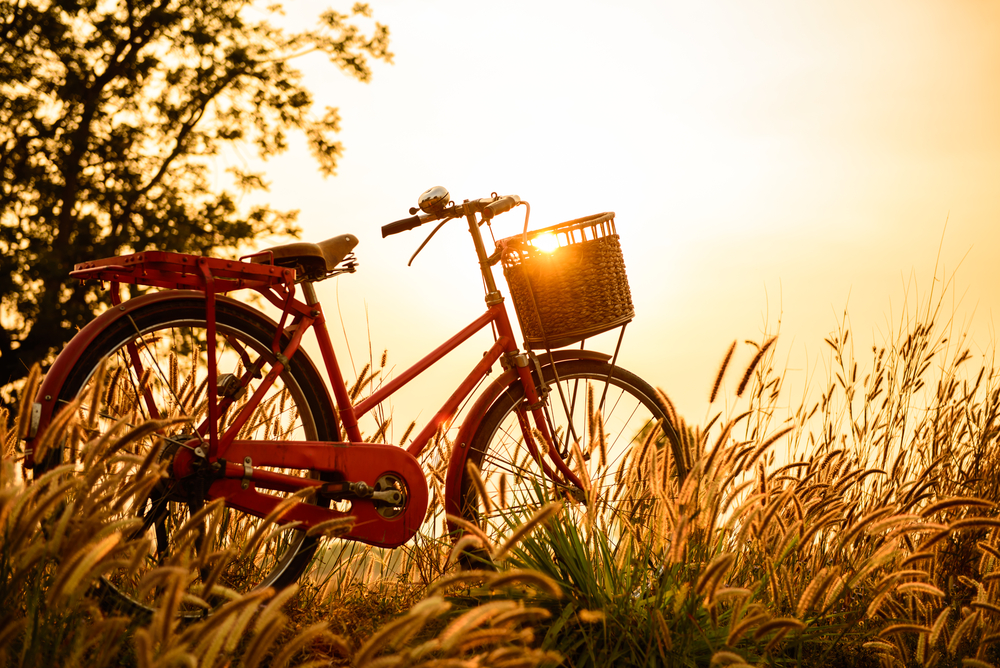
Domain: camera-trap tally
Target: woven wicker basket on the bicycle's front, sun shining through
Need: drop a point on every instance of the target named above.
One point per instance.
(573, 292)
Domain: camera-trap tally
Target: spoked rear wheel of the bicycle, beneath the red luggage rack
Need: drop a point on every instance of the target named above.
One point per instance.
(156, 368)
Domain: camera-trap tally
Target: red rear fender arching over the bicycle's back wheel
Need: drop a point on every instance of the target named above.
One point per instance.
(45, 407)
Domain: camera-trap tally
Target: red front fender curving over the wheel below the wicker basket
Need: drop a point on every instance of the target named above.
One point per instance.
(460, 451)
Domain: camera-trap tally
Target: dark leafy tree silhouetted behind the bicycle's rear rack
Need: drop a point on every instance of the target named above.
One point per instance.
(110, 114)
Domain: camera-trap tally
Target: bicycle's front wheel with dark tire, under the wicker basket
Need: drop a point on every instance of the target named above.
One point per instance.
(508, 472)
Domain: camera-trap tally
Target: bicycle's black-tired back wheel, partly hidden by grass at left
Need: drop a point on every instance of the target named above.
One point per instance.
(170, 336)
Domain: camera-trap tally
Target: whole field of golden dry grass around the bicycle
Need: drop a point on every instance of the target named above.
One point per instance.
(858, 528)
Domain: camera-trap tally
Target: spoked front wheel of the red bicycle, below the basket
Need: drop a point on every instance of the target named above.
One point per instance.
(589, 397)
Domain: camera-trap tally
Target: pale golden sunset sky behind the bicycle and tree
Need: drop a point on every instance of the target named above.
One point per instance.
(770, 160)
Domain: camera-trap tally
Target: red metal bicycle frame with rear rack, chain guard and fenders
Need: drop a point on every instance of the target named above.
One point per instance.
(350, 459)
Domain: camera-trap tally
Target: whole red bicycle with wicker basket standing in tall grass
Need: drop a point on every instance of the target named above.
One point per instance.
(260, 422)
